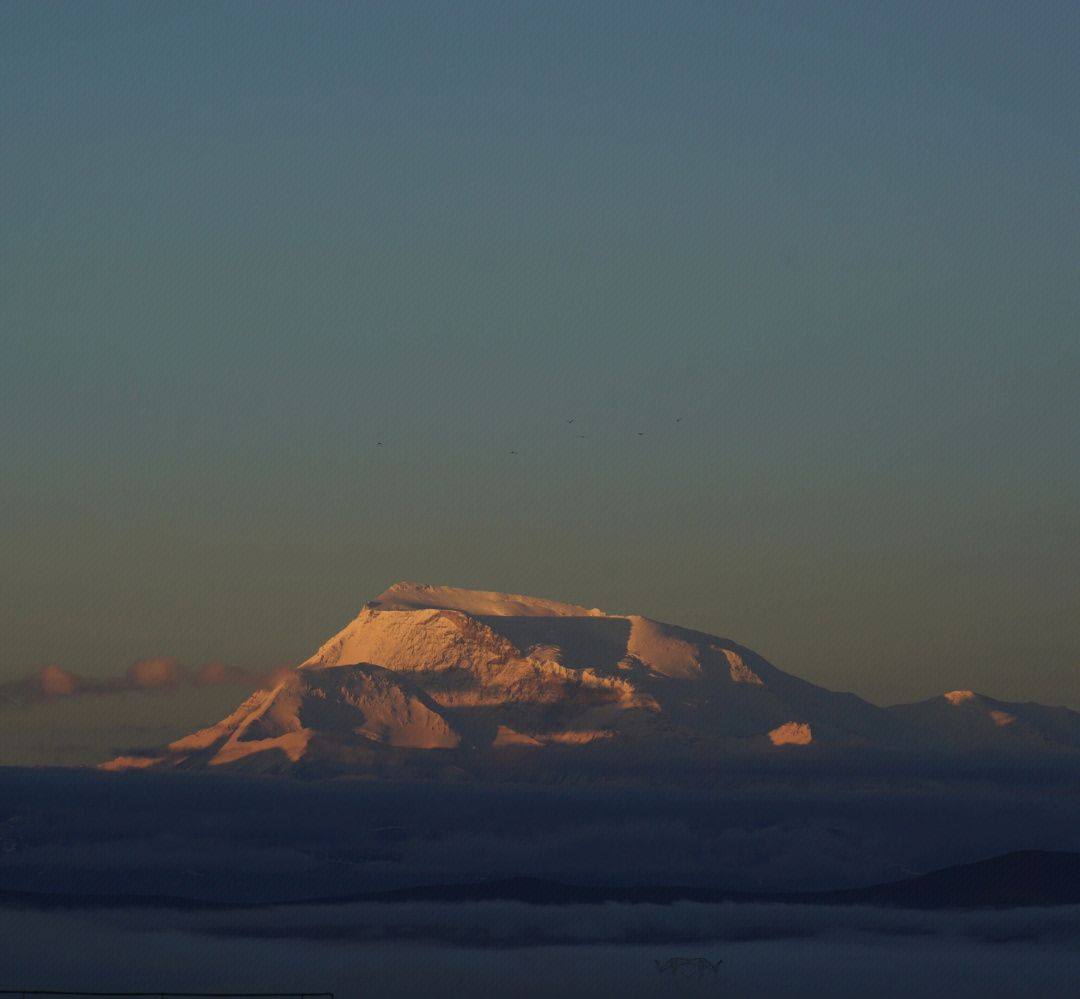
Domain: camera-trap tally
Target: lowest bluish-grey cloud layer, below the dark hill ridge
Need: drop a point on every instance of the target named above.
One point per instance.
(761, 952)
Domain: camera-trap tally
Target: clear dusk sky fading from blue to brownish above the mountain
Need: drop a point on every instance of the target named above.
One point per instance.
(244, 244)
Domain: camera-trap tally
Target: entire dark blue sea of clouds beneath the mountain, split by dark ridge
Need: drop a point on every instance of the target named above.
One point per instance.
(232, 839)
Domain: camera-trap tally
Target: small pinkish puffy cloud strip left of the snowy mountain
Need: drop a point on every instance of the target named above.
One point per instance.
(157, 673)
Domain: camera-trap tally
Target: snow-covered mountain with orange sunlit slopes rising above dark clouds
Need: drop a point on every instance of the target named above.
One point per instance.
(438, 681)
